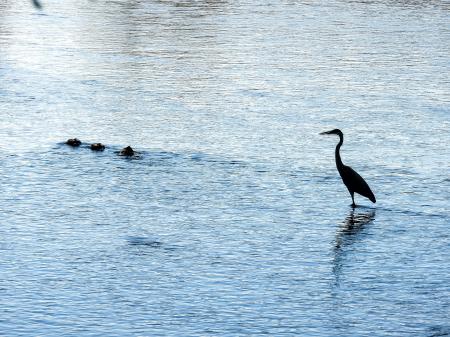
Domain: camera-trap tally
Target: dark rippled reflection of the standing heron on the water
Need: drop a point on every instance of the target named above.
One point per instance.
(348, 233)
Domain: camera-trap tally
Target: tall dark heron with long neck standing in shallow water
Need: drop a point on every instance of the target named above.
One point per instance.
(351, 179)
